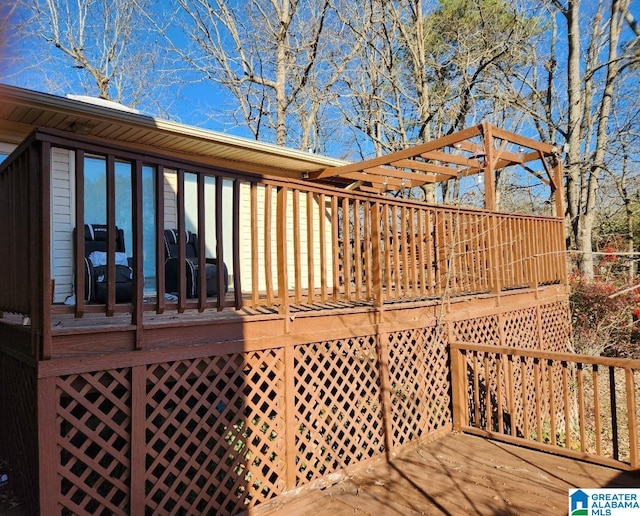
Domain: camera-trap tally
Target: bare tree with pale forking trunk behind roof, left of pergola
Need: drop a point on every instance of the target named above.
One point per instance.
(272, 57)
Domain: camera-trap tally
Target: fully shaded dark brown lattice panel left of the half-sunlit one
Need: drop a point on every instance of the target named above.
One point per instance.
(94, 424)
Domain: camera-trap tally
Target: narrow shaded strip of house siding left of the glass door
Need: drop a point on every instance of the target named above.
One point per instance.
(62, 223)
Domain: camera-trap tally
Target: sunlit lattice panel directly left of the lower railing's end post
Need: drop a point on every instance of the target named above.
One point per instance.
(419, 381)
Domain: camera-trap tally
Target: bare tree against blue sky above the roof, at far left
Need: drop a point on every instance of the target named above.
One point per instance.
(107, 43)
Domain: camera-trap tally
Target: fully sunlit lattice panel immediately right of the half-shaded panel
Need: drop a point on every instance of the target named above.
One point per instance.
(338, 406)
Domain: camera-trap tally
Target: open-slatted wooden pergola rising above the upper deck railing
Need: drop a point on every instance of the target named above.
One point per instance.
(480, 149)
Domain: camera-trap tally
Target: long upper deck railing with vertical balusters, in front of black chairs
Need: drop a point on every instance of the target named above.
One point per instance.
(284, 242)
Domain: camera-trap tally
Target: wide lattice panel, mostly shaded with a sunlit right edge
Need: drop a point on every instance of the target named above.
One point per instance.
(215, 433)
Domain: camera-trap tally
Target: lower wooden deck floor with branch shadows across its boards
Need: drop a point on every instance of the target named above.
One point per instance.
(457, 474)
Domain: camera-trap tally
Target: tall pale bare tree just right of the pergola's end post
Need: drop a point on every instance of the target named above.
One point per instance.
(598, 64)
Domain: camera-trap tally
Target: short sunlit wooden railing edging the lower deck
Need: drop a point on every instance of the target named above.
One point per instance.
(574, 405)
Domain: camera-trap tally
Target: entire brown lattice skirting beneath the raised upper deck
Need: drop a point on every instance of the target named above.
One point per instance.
(219, 434)
